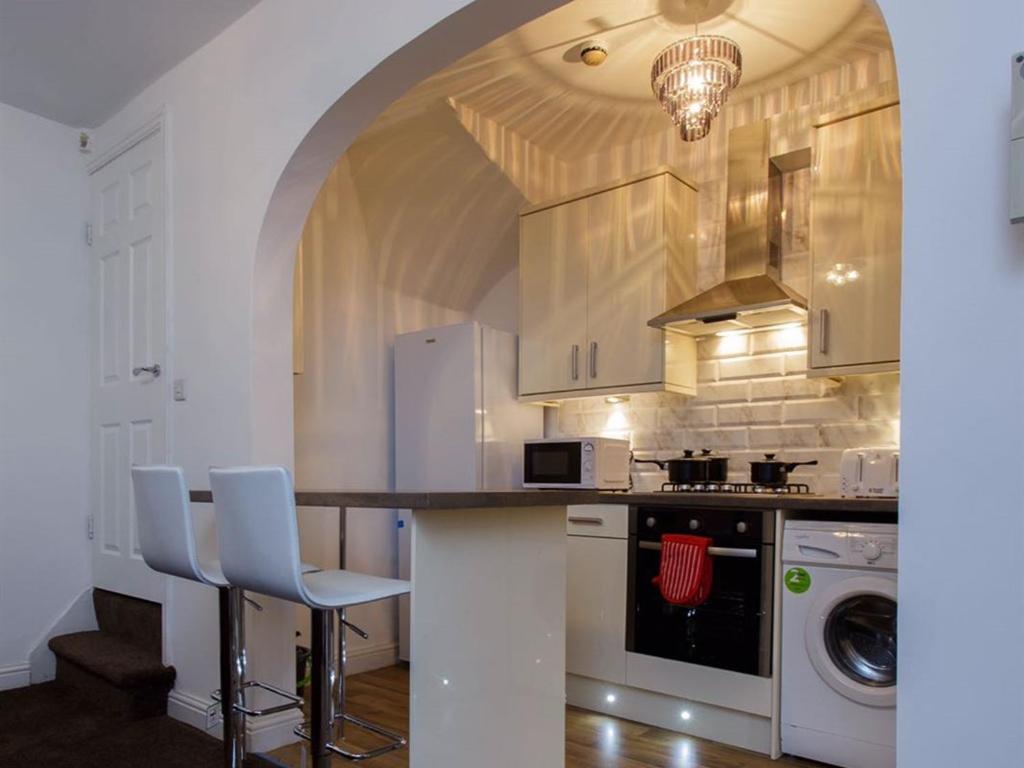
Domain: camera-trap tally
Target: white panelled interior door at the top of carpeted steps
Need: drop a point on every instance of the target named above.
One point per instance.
(130, 414)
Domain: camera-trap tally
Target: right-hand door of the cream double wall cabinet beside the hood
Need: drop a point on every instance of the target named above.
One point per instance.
(626, 287)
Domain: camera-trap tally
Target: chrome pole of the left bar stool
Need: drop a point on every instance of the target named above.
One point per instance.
(233, 664)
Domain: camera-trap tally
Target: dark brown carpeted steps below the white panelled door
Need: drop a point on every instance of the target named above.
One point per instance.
(119, 666)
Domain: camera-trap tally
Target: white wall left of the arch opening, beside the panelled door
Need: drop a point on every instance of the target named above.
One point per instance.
(237, 112)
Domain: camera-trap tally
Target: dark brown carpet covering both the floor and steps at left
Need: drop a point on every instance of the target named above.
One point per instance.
(107, 707)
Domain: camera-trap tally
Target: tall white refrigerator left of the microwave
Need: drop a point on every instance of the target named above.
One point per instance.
(458, 423)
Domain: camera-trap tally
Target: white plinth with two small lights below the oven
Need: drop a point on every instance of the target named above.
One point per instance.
(706, 721)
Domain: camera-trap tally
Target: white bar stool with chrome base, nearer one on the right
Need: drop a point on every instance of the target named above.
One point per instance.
(259, 537)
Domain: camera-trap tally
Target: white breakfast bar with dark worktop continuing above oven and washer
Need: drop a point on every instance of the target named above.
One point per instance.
(489, 573)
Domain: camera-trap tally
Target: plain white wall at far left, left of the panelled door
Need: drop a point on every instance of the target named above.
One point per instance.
(46, 359)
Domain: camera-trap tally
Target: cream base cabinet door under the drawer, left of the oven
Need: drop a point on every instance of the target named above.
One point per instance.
(595, 614)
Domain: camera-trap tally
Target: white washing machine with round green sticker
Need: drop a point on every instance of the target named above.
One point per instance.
(839, 644)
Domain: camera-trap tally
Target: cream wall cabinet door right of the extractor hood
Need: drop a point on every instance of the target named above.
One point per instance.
(857, 225)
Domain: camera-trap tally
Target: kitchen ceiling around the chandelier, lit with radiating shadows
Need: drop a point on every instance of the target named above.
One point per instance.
(532, 81)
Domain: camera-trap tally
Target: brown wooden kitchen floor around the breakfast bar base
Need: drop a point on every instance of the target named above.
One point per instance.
(591, 741)
